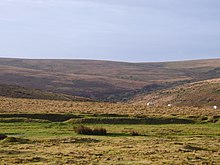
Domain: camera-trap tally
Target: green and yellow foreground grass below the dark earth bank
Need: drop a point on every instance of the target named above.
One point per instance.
(56, 143)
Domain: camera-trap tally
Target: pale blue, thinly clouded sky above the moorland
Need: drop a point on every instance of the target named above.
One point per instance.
(118, 30)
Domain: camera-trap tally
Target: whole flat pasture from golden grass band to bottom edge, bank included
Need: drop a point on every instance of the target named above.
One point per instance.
(42, 132)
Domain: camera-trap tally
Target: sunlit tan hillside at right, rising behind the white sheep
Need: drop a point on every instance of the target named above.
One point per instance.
(198, 94)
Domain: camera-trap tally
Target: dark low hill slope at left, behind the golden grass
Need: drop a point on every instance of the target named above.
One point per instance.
(13, 91)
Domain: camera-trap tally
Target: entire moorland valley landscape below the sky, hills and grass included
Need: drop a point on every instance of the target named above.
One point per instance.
(42, 102)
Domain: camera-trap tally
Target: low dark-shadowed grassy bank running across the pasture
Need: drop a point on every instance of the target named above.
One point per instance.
(107, 118)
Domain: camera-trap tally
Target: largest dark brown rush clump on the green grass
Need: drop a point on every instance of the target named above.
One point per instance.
(88, 131)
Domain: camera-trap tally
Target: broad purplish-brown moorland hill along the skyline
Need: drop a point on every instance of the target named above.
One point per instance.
(104, 80)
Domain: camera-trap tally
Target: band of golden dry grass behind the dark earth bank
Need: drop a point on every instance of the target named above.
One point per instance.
(9, 105)
